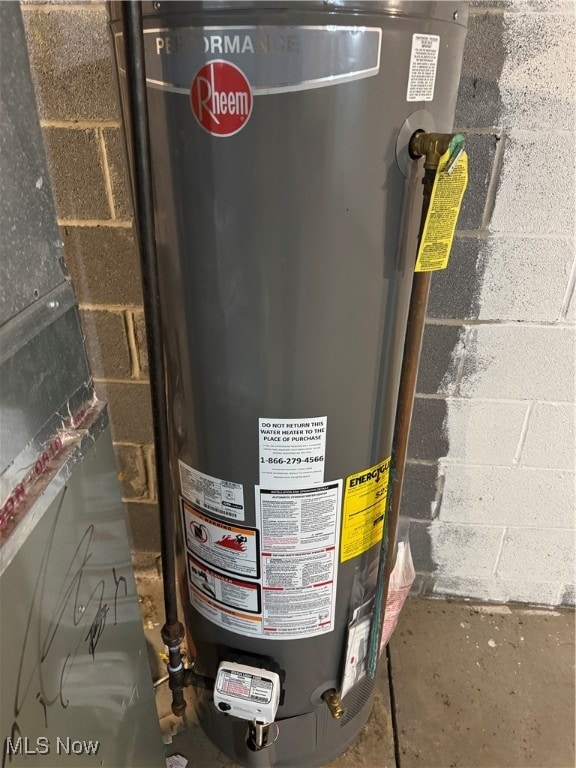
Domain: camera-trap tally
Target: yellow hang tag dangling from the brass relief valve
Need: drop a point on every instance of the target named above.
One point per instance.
(447, 193)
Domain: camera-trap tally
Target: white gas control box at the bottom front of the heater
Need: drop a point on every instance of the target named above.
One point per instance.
(252, 694)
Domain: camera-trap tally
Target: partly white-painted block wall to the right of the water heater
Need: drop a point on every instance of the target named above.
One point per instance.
(490, 482)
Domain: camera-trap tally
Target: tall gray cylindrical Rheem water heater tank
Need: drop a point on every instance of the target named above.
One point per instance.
(286, 221)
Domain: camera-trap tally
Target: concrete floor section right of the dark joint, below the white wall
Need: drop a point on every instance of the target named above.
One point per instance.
(483, 686)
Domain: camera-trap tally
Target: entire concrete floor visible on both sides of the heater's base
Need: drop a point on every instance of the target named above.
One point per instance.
(473, 686)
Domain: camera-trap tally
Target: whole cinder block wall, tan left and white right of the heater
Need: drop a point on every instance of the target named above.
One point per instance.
(490, 479)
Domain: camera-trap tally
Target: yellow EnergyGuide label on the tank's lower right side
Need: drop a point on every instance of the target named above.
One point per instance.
(364, 510)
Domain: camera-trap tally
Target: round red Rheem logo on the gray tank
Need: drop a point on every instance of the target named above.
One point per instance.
(221, 98)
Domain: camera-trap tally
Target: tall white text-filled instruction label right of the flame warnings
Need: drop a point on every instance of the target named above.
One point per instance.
(299, 530)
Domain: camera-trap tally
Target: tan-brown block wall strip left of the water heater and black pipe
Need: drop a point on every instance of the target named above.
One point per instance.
(70, 57)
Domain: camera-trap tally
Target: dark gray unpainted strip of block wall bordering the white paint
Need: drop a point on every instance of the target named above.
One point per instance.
(455, 293)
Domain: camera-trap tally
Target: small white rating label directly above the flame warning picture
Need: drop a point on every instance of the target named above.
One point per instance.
(219, 497)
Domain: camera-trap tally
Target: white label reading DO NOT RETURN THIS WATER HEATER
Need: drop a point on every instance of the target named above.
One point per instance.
(292, 452)
